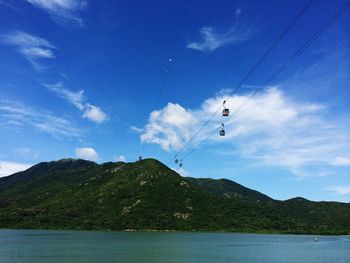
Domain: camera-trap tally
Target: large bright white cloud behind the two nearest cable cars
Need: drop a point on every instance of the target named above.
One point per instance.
(271, 128)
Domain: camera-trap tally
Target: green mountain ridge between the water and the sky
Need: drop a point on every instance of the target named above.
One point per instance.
(147, 195)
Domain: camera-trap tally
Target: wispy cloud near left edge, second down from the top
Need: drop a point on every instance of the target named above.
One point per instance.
(33, 48)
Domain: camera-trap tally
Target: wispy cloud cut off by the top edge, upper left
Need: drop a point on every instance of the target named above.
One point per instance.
(62, 12)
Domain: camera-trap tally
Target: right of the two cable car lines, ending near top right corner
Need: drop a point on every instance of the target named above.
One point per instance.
(281, 68)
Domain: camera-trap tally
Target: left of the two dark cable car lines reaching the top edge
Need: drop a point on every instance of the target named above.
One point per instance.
(259, 61)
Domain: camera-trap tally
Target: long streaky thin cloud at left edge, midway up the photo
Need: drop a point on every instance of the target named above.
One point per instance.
(17, 115)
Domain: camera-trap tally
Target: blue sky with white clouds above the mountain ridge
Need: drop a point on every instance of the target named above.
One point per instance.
(114, 80)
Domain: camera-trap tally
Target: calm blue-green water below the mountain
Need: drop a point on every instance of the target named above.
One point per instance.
(31, 246)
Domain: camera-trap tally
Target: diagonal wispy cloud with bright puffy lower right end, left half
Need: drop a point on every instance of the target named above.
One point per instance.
(91, 112)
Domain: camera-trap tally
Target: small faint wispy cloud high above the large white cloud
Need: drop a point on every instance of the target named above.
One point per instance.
(211, 39)
